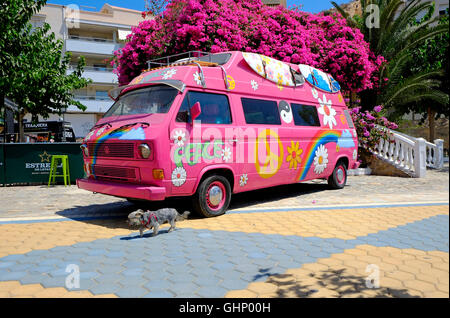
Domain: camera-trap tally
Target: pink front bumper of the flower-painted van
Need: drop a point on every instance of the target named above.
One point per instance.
(123, 190)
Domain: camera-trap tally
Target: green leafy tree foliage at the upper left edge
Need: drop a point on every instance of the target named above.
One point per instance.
(33, 70)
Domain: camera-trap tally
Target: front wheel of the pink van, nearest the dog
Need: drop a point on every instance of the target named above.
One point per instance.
(213, 196)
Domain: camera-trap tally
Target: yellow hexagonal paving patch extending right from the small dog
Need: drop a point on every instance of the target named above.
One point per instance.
(342, 224)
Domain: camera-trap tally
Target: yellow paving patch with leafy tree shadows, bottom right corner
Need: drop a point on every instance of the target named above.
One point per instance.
(398, 273)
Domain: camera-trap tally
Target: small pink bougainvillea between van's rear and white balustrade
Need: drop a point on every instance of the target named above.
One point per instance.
(370, 126)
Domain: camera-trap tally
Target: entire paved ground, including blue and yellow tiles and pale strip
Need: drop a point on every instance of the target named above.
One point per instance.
(378, 237)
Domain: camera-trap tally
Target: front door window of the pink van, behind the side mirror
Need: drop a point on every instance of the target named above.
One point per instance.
(215, 108)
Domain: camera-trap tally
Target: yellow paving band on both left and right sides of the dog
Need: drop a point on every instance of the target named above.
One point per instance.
(343, 224)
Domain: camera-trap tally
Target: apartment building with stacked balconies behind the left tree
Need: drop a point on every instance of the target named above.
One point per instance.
(94, 35)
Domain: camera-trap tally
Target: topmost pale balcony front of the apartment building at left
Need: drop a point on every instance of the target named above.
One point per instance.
(91, 45)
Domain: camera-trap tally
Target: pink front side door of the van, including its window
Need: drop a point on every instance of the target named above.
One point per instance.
(206, 142)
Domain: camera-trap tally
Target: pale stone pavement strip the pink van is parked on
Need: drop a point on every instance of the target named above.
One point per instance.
(60, 201)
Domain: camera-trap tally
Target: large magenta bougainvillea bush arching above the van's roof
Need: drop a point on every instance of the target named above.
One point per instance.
(214, 26)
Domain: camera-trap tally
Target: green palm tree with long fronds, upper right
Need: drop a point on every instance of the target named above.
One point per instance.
(399, 33)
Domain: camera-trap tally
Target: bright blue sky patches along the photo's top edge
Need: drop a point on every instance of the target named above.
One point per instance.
(308, 5)
